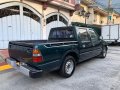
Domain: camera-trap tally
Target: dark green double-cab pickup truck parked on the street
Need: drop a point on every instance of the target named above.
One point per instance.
(65, 47)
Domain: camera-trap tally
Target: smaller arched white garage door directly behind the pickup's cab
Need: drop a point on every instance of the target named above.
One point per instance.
(55, 20)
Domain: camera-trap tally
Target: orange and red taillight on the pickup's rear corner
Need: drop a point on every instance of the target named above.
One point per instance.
(37, 56)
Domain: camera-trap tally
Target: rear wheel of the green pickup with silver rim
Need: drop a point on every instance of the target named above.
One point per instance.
(68, 67)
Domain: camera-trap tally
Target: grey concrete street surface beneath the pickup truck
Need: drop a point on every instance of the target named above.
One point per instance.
(94, 74)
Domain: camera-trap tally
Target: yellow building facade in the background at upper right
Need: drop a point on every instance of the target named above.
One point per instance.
(98, 14)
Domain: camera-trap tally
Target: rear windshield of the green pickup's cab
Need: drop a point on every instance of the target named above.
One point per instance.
(61, 34)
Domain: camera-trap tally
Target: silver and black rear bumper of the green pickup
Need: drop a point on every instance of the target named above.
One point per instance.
(25, 69)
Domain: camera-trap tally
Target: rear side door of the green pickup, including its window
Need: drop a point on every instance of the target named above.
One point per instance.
(85, 46)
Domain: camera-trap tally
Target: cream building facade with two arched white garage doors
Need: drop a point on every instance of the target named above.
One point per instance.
(32, 19)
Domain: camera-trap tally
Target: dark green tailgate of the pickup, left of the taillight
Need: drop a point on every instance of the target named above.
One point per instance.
(21, 52)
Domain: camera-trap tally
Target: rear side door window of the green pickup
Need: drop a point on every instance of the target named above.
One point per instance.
(83, 34)
